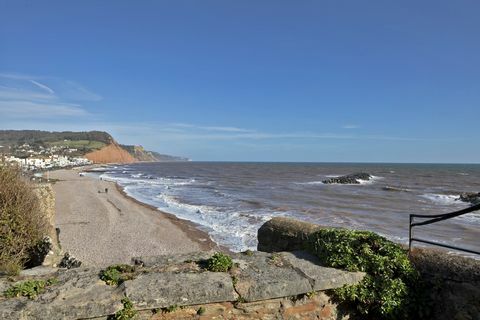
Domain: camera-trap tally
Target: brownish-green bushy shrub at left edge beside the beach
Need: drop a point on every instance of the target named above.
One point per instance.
(22, 222)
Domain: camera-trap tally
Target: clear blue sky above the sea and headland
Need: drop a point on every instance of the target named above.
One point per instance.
(369, 81)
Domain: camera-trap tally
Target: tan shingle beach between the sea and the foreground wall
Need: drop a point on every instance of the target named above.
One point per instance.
(102, 228)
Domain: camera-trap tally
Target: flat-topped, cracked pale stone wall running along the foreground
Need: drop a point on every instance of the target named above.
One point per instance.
(259, 285)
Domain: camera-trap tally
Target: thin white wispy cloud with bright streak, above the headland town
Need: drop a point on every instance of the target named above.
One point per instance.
(36, 97)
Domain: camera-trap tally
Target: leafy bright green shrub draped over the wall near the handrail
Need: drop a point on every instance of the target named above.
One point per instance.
(386, 292)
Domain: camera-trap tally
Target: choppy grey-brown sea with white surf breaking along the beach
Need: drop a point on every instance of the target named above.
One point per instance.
(230, 200)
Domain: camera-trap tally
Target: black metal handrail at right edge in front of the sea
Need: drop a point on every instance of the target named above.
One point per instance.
(437, 218)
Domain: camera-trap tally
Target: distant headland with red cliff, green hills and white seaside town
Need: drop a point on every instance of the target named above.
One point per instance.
(35, 149)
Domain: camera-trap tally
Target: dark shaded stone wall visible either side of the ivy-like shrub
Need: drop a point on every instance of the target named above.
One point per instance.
(452, 282)
